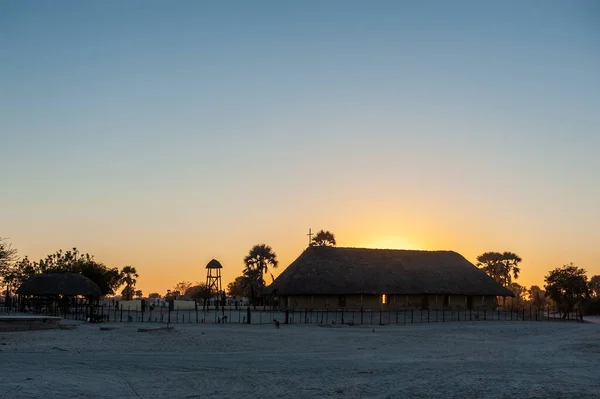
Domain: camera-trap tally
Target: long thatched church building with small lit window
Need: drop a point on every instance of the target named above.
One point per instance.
(354, 278)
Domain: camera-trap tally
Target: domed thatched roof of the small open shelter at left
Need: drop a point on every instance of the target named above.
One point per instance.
(59, 284)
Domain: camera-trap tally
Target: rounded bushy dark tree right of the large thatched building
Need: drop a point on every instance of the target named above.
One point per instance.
(567, 286)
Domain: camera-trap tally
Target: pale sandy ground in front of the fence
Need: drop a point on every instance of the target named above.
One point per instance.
(451, 360)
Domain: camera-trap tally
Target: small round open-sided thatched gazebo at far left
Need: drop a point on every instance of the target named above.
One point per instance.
(50, 291)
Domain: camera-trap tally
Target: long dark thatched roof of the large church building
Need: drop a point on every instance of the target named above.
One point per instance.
(344, 271)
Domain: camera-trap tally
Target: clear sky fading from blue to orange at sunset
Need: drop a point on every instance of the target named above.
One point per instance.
(164, 134)
